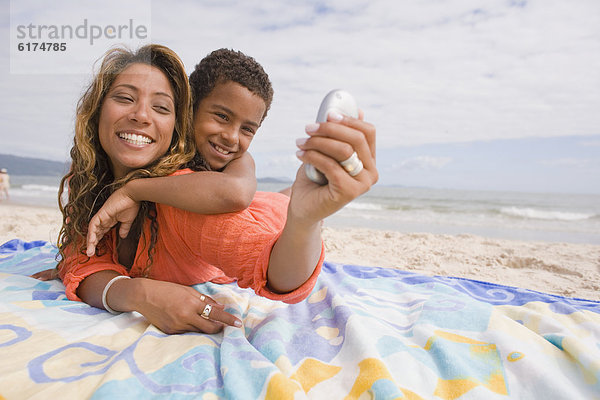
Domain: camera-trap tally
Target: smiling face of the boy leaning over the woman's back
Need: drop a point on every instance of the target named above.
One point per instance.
(225, 123)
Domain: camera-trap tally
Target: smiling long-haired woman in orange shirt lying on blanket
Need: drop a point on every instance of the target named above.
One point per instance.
(133, 122)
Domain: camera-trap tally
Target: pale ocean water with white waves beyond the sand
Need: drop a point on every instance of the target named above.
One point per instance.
(550, 217)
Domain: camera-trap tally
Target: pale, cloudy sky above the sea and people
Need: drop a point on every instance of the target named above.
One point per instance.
(494, 95)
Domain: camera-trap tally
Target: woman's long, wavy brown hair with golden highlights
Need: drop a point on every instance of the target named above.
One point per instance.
(90, 180)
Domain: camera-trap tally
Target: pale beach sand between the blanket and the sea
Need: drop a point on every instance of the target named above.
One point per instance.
(564, 269)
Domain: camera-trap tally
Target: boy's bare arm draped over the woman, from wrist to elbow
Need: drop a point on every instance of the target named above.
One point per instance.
(205, 192)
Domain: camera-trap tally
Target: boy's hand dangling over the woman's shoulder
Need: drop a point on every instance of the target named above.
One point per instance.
(118, 208)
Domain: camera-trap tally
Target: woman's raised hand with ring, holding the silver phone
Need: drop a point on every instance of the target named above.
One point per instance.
(328, 144)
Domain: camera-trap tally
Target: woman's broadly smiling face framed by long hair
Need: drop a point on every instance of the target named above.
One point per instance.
(137, 118)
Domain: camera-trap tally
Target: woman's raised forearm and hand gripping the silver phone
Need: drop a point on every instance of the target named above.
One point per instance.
(296, 253)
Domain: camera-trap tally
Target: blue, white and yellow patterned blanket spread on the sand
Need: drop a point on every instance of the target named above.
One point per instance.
(364, 332)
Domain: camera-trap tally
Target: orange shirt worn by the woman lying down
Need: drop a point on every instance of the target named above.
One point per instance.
(194, 248)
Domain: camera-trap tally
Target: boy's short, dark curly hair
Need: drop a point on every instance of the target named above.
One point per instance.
(226, 65)
